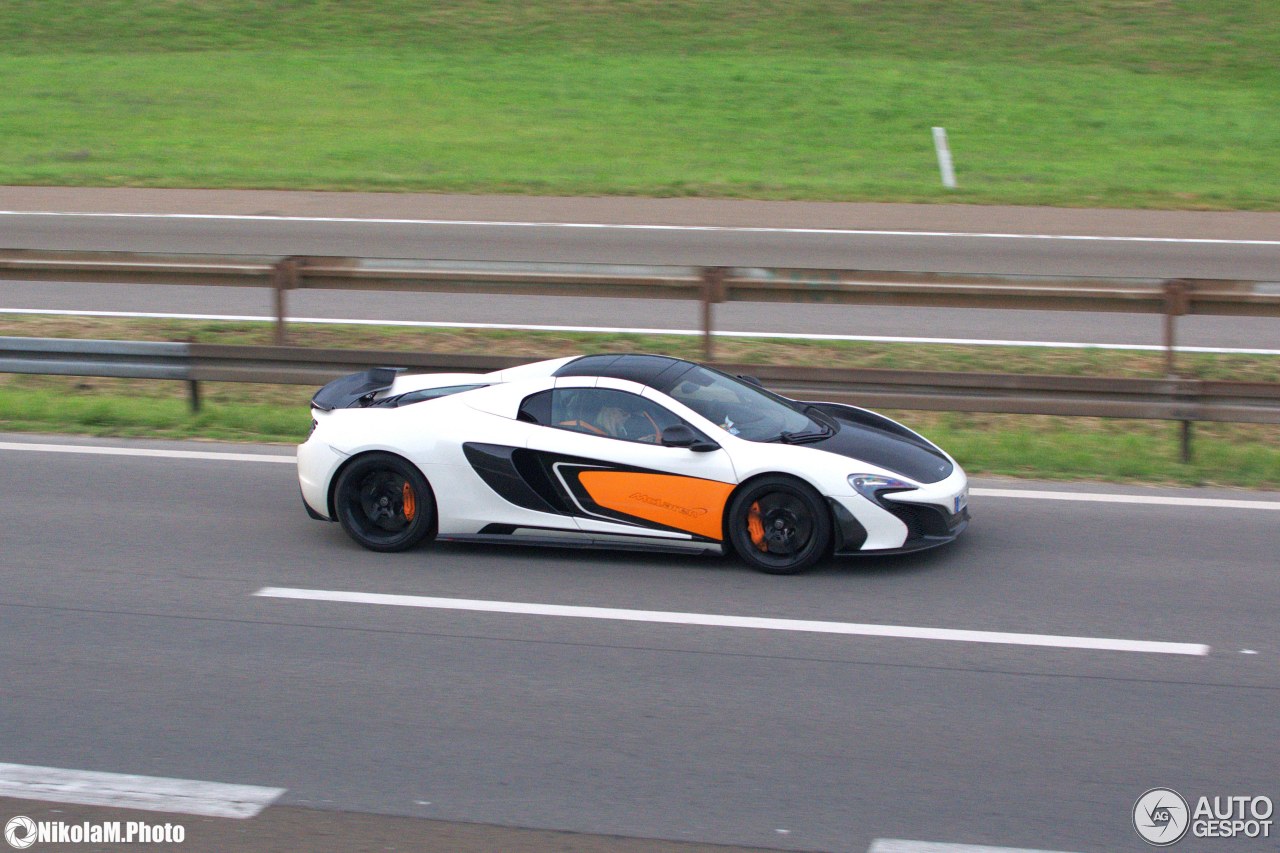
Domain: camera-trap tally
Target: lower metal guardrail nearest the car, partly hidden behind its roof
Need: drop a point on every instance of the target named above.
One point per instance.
(1185, 400)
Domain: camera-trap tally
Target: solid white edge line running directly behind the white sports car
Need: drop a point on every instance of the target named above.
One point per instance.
(1086, 498)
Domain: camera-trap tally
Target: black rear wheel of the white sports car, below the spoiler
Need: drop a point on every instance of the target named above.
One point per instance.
(385, 503)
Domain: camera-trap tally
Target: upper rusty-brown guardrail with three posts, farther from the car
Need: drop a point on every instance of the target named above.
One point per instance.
(706, 285)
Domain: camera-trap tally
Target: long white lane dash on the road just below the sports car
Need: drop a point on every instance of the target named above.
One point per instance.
(715, 621)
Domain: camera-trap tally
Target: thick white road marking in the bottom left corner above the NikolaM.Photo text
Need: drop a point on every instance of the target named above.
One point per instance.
(124, 791)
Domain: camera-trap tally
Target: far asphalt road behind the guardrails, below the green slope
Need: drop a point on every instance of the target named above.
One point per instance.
(646, 231)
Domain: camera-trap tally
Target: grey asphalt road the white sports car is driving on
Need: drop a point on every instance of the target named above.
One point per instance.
(131, 641)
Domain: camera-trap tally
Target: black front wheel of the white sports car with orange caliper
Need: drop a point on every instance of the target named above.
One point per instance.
(779, 526)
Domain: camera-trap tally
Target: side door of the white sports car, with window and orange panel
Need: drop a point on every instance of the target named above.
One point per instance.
(602, 454)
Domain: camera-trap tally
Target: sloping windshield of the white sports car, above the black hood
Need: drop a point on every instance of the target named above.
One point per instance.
(743, 409)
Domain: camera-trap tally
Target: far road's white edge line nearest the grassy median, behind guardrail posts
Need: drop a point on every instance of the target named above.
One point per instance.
(624, 330)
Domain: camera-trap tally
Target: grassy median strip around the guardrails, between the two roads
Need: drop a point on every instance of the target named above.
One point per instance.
(1004, 445)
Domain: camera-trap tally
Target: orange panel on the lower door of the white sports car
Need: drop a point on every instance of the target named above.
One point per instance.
(683, 503)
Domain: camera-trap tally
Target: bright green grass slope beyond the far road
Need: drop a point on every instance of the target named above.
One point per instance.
(1135, 103)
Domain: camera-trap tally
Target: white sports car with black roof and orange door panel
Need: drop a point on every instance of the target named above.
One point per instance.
(623, 451)
